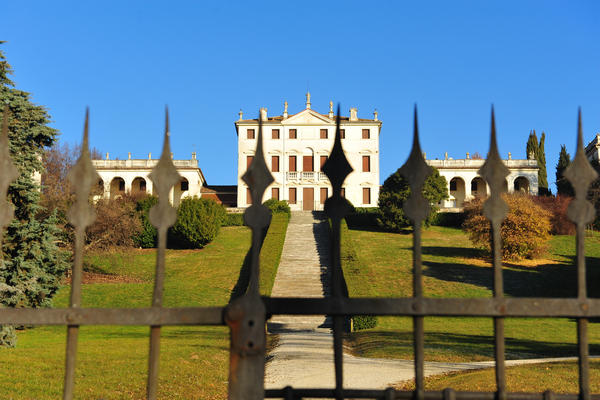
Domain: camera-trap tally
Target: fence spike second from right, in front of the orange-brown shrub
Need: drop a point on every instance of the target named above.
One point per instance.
(494, 172)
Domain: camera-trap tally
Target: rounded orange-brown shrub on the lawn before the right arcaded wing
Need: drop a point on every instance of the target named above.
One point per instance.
(524, 232)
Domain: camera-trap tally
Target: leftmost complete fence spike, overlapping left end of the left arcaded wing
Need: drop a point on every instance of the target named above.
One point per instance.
(82, 177)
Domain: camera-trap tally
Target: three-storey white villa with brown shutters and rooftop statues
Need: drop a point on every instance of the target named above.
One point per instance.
(297, 145)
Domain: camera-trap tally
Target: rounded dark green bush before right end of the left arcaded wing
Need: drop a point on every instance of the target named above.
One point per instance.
(198, 223)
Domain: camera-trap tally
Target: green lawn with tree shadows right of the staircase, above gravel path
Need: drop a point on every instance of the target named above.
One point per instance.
(380, 264)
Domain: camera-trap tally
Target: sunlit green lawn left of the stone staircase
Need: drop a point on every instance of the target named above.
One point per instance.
(112, 361)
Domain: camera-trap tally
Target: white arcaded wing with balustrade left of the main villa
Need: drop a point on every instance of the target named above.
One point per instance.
(131, 176)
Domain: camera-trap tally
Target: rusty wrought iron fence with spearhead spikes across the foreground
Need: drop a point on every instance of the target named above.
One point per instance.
(246, 316)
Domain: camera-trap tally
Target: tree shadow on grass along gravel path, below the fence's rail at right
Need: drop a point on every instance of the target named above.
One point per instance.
(449, 345)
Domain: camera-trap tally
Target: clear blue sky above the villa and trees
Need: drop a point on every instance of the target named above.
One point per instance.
(536, 61)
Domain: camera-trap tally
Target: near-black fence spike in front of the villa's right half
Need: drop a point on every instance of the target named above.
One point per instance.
(337, 168)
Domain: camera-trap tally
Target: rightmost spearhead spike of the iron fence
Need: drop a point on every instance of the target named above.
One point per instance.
(581, 174)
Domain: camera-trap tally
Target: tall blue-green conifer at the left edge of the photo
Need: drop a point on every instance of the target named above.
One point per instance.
(32, 265)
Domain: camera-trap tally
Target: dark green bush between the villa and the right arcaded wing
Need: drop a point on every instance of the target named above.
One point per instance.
(395, 191)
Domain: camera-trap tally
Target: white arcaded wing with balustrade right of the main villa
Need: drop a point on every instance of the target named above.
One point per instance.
(465, 183)
